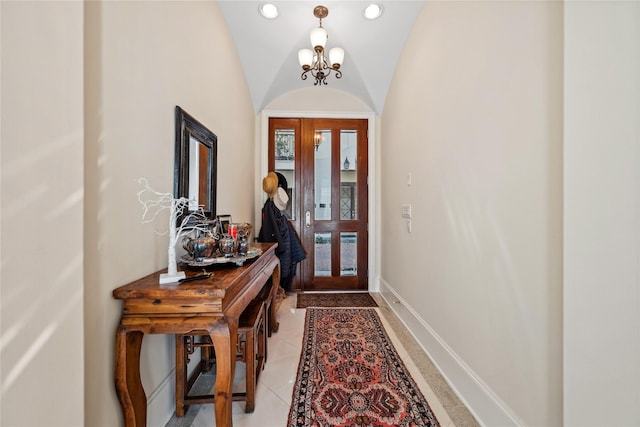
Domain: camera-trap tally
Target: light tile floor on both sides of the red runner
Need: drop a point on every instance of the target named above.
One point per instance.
(275, 385)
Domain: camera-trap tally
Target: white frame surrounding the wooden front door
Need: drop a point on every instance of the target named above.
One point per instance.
(261, 163)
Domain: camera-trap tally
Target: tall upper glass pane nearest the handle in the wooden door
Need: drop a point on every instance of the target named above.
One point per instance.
(322, 174)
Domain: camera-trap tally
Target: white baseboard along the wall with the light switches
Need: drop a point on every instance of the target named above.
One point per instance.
(487, 408)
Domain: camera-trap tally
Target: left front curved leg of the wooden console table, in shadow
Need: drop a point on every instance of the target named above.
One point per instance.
(127, 377)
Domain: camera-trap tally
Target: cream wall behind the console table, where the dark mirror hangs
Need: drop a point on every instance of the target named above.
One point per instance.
(143, 59)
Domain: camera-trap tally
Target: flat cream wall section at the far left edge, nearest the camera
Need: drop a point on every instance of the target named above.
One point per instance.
(41, 214)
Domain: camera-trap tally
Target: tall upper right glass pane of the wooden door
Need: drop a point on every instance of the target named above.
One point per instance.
(348, 174)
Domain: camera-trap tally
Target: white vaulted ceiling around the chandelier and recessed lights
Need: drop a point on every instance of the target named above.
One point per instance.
(268, 49)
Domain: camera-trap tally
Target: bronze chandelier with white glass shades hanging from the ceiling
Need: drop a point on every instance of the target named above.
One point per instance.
(315, 62)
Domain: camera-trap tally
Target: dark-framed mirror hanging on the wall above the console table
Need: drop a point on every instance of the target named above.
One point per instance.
(195, 163)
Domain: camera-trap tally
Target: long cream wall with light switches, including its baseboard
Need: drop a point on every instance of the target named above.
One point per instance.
(474, 115)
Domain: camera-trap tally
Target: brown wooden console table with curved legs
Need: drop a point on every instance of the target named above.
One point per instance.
(212, 305)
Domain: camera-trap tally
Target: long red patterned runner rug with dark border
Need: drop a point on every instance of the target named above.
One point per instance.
(351, 375)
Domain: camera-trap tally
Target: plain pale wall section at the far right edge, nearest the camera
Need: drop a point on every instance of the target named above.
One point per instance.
(602, 214)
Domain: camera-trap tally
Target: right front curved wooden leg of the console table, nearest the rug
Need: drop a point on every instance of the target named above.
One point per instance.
(224, 337)
